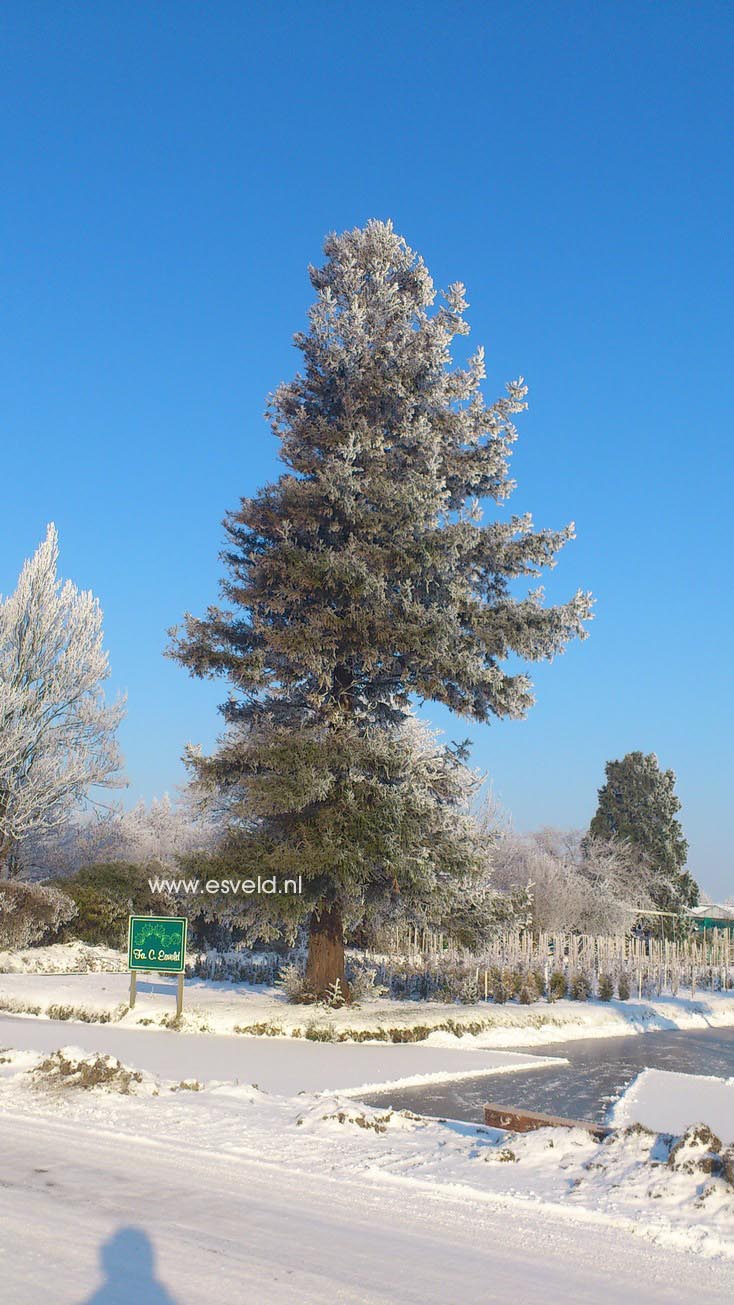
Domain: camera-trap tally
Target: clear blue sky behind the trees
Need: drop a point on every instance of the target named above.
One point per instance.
(168, 173)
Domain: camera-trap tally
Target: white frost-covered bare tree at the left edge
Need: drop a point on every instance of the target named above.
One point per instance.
(57, 731)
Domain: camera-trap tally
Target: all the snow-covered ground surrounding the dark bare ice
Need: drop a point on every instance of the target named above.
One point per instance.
(151, 1169)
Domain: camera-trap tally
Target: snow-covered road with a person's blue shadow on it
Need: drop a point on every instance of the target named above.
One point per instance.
(83, 1213)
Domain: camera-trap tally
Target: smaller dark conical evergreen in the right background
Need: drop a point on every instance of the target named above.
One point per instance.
(638, 803)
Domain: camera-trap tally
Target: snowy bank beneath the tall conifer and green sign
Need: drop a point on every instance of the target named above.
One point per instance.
(225, 1008)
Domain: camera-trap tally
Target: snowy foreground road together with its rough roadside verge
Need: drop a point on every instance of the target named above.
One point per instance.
(156, 1192)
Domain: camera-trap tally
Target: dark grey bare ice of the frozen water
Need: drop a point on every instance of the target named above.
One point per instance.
(598, 1072)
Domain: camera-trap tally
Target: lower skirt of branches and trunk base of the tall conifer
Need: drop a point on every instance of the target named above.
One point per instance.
(374, 819)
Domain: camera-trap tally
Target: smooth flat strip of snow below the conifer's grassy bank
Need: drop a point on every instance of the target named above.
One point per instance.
(283, 1066)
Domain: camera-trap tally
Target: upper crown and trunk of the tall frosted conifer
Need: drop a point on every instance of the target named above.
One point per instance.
(365, 576)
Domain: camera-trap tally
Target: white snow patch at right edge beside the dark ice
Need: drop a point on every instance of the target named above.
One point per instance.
(671, 1103)
